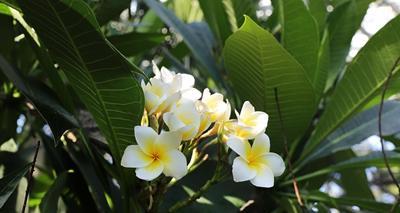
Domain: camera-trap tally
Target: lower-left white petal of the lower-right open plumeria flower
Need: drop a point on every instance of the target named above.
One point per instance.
(241, 171)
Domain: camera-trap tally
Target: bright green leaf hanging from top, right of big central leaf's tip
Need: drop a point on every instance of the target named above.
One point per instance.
(300, 37)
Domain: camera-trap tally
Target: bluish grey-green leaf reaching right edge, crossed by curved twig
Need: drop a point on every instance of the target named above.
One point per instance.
(359, 128)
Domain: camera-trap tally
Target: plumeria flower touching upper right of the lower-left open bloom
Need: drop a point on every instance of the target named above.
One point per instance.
(184, 118)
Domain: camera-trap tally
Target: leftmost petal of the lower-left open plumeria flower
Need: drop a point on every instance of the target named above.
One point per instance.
(134, 157)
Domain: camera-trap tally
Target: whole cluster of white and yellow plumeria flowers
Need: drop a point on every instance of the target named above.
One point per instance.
(177, 116)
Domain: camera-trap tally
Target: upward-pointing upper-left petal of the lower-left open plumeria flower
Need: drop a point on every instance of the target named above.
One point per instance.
(145, 138)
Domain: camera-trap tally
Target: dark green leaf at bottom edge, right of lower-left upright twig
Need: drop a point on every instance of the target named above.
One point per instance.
(49, 202)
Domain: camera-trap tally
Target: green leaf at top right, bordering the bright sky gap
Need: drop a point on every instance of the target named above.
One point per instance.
(343, 23)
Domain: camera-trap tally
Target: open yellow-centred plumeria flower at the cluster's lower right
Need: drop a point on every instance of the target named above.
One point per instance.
(255, 163)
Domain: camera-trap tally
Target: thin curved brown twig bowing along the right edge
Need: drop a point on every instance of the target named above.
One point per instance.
(385, 87)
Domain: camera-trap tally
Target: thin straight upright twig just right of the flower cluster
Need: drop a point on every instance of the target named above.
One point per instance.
(295, 187)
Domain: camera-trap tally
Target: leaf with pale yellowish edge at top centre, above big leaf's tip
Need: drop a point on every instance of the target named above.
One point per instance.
(220, 16)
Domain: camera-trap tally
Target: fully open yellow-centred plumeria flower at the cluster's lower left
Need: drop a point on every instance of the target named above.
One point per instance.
(155, 154)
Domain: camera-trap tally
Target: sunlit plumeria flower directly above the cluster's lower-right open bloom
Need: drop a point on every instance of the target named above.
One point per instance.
(250, 122)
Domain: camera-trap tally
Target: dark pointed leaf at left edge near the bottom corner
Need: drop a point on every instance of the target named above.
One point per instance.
(9, 182)
